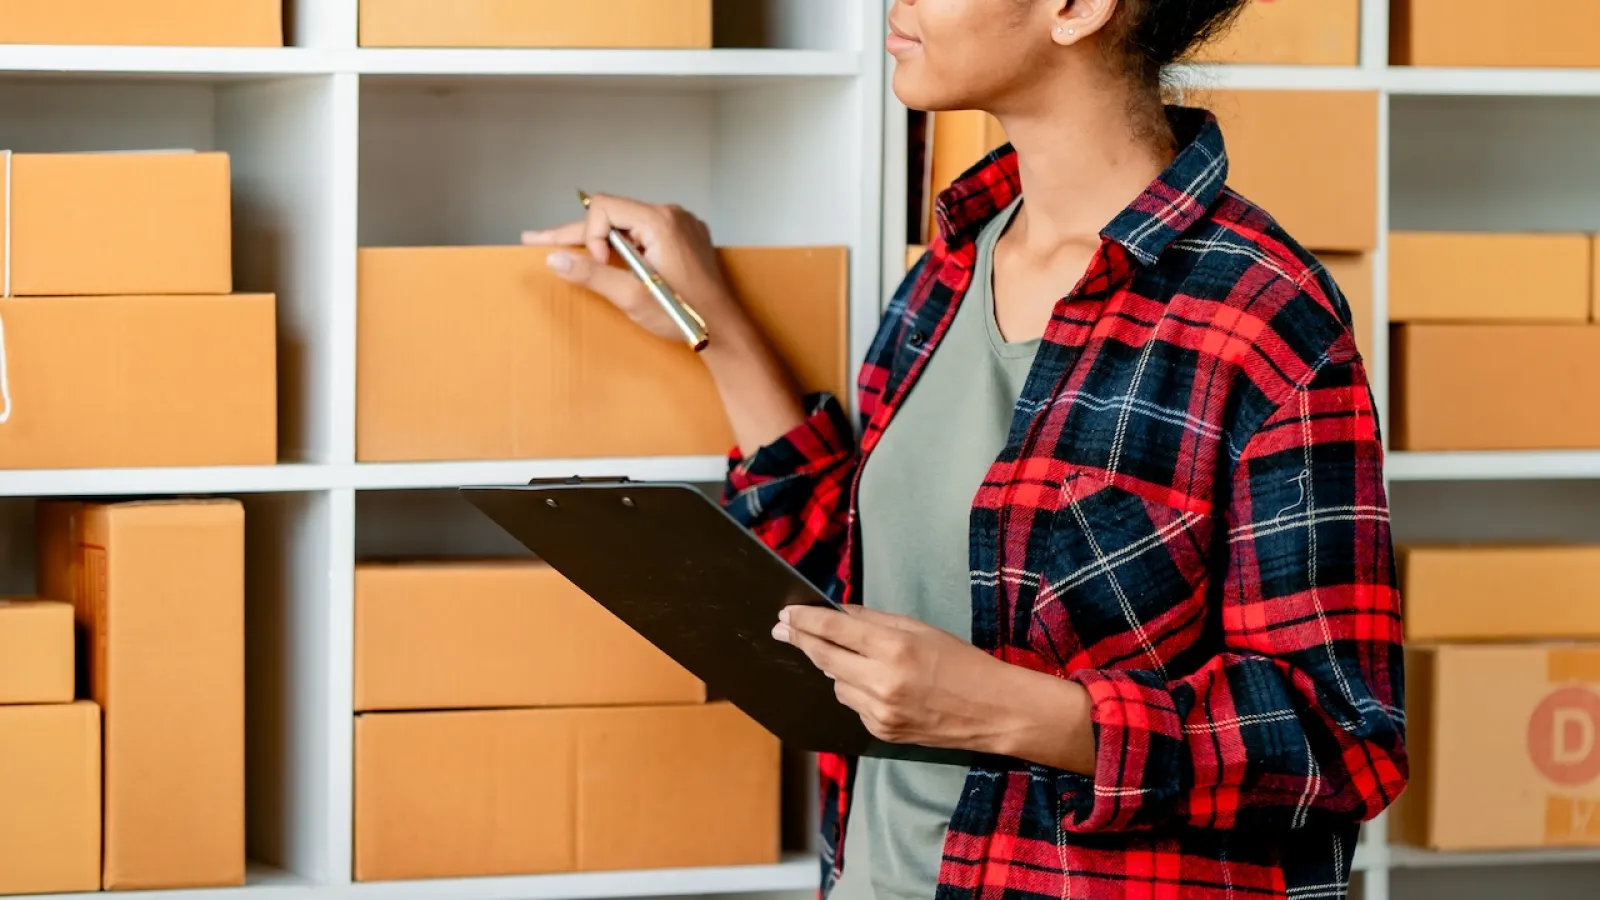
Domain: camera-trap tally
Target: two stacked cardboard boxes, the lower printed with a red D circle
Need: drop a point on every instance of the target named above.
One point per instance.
(1503, 697)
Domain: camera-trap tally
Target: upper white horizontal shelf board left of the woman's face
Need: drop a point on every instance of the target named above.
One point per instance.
(226, 63)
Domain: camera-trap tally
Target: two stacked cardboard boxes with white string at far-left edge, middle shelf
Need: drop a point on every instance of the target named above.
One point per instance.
(122, 344)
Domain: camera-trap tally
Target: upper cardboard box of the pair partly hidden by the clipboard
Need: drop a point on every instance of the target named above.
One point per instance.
(498, 635)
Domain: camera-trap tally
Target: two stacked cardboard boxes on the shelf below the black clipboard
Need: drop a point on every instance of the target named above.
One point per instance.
(508, 725)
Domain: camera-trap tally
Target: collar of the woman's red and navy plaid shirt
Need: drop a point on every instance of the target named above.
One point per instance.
(1175, 201)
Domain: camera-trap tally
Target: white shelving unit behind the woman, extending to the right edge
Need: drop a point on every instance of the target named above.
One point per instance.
(1460, 150)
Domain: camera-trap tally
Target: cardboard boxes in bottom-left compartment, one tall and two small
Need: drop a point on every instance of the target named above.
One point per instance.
(154, 795)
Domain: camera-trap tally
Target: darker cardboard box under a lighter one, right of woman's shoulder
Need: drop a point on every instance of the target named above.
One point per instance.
(1497, 387)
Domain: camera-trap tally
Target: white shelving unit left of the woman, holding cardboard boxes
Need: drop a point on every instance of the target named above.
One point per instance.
(337, 148)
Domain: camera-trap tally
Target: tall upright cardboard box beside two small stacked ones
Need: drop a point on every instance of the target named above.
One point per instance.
(159, 589)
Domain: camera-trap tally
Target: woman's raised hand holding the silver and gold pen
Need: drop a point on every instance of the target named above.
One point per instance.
(673, 241)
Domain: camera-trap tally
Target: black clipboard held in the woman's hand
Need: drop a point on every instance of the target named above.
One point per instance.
(686, 576)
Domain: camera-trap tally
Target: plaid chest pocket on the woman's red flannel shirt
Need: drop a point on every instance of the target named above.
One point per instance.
(1126, 576)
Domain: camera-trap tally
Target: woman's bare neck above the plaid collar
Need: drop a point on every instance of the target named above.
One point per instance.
(1082, 159)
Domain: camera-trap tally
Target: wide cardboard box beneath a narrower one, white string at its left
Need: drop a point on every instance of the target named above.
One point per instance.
(108, 382)
